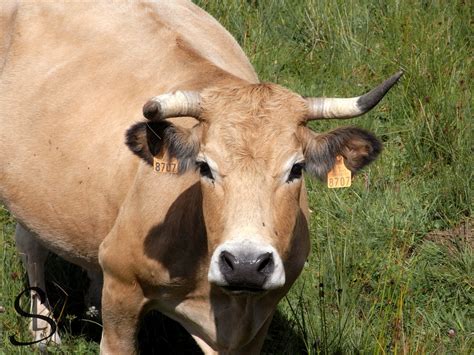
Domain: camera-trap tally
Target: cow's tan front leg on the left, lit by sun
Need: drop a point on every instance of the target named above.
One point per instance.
(122, 304)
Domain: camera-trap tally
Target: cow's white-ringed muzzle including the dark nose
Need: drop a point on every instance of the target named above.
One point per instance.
(246, 267)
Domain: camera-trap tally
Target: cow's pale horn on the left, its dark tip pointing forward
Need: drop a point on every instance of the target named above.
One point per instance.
(175, 104)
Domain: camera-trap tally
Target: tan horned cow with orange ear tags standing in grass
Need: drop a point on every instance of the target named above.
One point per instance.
(199, 208)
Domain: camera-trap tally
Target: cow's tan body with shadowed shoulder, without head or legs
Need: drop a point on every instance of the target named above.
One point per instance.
(66, 174)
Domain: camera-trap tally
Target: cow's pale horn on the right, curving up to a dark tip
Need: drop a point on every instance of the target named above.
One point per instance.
(322, 107)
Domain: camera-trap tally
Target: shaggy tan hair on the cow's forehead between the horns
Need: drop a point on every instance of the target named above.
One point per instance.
(252, 121)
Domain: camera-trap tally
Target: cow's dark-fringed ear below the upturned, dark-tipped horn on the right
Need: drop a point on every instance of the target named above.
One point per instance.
(358, 147)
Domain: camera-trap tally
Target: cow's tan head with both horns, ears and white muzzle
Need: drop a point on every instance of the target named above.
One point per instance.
(250, 147)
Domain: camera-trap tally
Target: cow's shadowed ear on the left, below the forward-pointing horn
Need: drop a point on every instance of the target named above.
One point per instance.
(152, 138)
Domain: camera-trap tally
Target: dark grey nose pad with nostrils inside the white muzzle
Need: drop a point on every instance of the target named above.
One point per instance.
(246, 272)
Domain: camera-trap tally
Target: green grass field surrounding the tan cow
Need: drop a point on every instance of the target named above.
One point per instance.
(392, 262)
